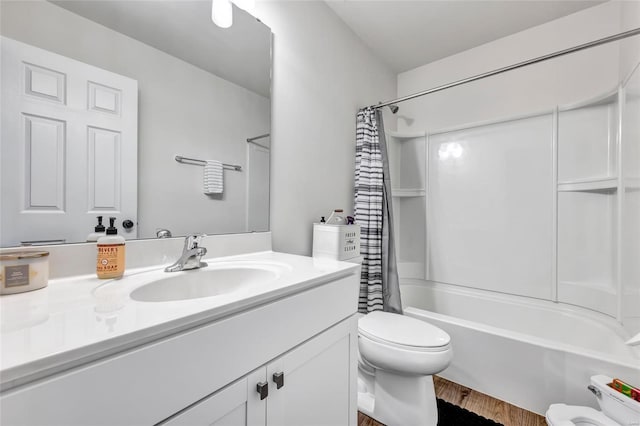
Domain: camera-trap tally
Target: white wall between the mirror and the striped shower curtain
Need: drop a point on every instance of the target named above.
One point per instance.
(322, 74)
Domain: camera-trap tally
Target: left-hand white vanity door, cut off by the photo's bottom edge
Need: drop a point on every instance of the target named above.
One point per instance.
(238, 404)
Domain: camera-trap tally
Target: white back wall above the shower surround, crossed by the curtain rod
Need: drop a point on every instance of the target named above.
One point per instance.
(534, 88)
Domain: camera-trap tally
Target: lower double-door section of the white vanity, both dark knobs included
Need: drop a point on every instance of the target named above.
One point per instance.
(309, 385)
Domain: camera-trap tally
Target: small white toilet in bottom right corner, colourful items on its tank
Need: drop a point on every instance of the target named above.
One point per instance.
(617, 409)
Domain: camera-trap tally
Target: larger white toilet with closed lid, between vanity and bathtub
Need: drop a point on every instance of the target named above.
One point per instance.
(398, 356)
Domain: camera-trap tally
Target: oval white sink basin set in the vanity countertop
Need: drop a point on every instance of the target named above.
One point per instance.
(206, 282)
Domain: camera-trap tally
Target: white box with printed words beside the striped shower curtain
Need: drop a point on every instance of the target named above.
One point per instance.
(340, 242)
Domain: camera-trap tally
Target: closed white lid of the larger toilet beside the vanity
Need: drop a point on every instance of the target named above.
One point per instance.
(402, 330)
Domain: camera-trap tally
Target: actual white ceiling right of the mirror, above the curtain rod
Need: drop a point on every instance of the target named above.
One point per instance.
(407, 34)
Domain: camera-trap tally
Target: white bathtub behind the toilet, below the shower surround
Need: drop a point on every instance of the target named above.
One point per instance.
(529, 352)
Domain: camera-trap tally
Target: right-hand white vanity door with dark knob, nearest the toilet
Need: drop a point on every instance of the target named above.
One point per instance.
(317, 386)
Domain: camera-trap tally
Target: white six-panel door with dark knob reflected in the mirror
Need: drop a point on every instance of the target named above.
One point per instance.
(68, 146)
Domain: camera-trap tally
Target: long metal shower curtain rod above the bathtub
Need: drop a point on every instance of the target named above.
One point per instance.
(594, 43)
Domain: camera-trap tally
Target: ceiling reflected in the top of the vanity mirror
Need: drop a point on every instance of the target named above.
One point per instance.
(240, 54)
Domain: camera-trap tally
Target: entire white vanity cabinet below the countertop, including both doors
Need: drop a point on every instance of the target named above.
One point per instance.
(208, 373)
